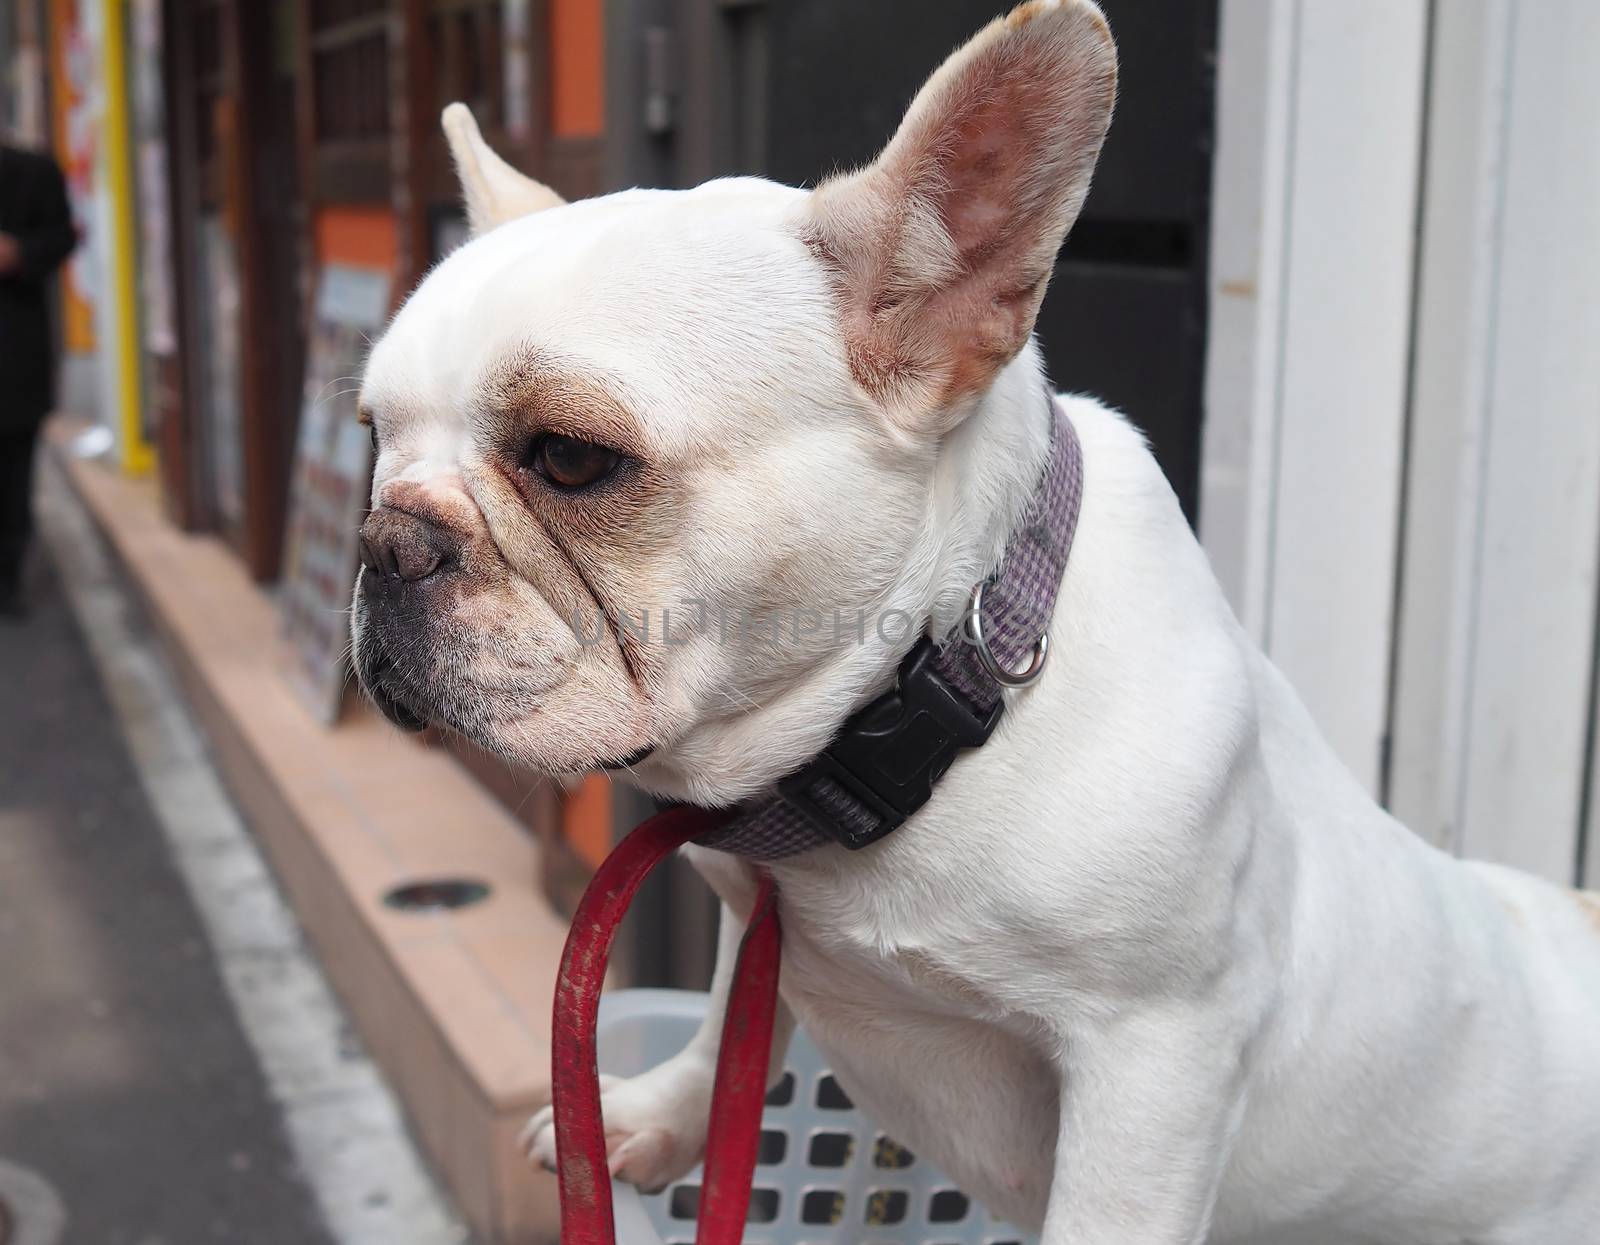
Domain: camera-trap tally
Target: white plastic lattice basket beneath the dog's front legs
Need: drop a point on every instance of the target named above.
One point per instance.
(825, 1177)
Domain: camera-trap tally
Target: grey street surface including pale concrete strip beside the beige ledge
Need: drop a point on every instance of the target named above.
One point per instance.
(172, 1060)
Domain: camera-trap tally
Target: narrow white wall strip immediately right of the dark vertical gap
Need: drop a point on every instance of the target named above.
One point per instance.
(1450, 410)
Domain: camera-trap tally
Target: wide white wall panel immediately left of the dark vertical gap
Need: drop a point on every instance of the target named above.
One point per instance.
(1346, 330)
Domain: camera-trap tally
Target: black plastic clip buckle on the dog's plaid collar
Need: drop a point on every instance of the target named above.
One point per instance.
(890, 753)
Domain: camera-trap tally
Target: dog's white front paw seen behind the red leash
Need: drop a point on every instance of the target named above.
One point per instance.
(655, 1126)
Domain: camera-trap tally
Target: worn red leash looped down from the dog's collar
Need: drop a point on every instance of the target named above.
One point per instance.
(742, 1062)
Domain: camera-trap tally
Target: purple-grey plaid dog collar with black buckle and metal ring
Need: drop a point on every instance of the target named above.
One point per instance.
(948, 697)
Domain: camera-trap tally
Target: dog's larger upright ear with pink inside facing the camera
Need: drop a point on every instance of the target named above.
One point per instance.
(942, 250)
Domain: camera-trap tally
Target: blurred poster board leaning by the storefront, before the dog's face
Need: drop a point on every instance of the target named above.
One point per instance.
(329, 490)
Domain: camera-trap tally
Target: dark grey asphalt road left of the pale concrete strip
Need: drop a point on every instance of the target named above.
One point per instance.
(126, 1079)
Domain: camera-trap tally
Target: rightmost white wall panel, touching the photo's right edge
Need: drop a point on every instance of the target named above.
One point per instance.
(1538, 551)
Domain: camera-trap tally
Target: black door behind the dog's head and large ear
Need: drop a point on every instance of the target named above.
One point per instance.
(799, 89)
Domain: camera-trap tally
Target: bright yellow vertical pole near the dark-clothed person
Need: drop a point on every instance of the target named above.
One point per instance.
(137, 454)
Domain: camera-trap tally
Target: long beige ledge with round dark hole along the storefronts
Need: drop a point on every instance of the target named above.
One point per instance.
(455, 1007)
